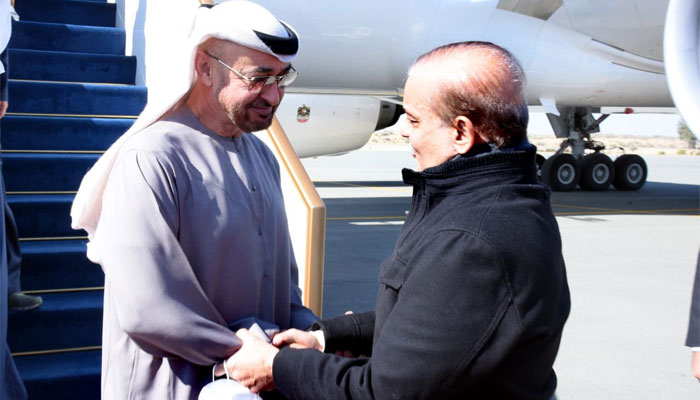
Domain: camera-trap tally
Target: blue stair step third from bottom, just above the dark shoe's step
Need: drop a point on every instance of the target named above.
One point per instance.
(58, 264)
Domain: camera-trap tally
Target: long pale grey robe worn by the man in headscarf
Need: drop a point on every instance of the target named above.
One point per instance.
(193, 237)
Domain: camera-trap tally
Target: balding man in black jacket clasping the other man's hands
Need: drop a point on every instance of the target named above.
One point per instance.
(473, 300)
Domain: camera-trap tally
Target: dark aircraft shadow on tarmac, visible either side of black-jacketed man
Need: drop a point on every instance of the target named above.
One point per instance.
(361, 231)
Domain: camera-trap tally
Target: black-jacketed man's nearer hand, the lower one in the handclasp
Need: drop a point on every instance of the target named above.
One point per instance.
(251, 365)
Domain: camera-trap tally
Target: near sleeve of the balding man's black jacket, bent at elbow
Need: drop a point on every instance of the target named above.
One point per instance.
(450, 298)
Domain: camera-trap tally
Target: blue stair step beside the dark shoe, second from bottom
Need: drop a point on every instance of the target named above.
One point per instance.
(65, 321)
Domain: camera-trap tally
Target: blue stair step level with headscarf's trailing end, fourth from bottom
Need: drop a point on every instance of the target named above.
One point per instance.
(43, 216)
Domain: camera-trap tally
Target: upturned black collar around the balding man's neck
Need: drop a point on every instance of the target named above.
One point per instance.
(481, 166)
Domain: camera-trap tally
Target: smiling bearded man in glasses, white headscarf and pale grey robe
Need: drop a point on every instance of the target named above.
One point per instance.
(186, 216)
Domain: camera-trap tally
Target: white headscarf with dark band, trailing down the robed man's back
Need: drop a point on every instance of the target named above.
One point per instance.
(238, 21)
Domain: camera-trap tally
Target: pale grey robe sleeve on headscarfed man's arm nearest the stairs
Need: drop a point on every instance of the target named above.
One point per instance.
(158, 299)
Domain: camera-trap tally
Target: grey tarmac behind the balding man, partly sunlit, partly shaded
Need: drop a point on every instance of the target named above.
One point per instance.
(630, 260)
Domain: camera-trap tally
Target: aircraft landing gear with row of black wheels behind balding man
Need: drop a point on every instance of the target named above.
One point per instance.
(592, 171)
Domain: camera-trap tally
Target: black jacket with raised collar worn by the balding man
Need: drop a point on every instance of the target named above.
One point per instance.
(471, 303)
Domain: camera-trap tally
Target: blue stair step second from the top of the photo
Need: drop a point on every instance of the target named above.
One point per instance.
(66, 37)
